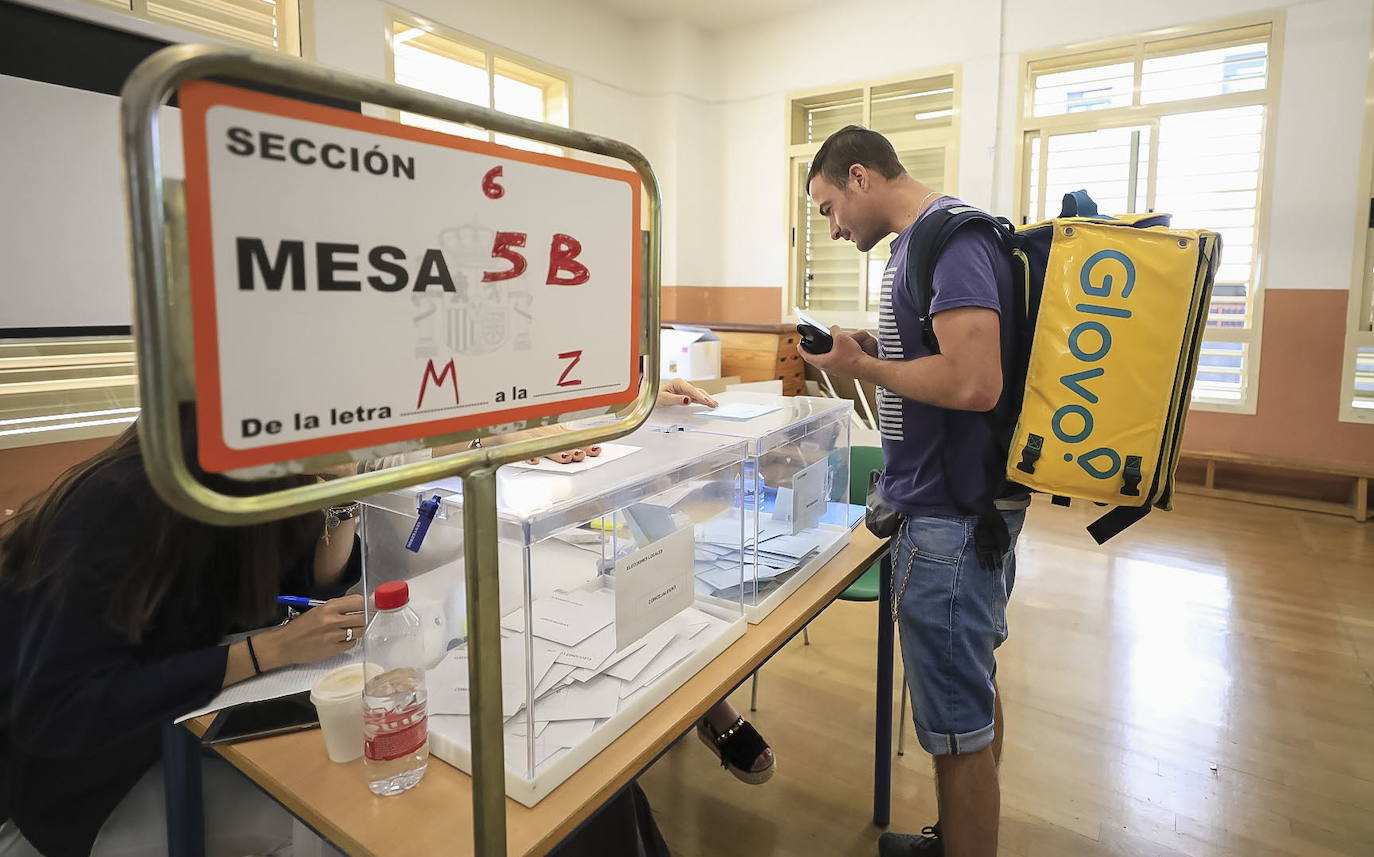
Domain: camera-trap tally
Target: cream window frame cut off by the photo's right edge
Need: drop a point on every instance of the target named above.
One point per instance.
(1360, 323)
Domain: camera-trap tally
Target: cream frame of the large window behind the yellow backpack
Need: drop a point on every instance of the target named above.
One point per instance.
(1141, 113)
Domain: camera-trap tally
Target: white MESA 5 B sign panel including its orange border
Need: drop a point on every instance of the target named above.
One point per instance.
(359, 284)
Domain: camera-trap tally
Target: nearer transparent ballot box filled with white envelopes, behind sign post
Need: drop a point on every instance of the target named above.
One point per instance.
(601, 613)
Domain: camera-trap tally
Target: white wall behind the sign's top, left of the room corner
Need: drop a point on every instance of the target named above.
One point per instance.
(651, 86)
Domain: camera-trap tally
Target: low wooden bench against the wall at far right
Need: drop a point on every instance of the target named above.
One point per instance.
(1235, 464)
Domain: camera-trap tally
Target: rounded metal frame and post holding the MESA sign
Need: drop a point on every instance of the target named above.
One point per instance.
(161, 336)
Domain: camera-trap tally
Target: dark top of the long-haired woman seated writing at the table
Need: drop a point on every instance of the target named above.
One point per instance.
(80, 707)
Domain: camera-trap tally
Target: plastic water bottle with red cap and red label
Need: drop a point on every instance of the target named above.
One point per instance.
(395, 718)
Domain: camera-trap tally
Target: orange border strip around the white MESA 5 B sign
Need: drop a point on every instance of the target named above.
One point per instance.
(197, 98)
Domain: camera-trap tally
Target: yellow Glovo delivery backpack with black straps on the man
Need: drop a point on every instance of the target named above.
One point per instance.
(1107, 332)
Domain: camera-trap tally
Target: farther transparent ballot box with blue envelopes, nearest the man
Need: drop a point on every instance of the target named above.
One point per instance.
(796, 498)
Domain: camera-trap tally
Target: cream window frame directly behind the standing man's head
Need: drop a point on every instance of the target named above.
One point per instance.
(949, 138)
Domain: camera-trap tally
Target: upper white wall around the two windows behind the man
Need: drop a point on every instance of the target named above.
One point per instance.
(1316, 190)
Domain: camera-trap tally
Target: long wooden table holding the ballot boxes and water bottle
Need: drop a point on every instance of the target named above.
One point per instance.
(436, 818)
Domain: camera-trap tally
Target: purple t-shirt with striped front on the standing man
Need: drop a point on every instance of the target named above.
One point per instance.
(973, 271)
